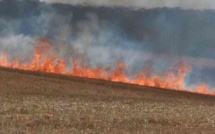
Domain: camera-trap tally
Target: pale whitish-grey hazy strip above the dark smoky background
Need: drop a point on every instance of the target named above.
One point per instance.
(184, 4)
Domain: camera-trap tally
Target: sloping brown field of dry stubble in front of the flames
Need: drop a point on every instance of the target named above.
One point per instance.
(47, 103)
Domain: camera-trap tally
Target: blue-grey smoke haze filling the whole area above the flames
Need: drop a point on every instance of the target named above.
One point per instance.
(151, 36)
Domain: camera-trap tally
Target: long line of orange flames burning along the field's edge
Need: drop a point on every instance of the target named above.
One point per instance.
(44, 61)
